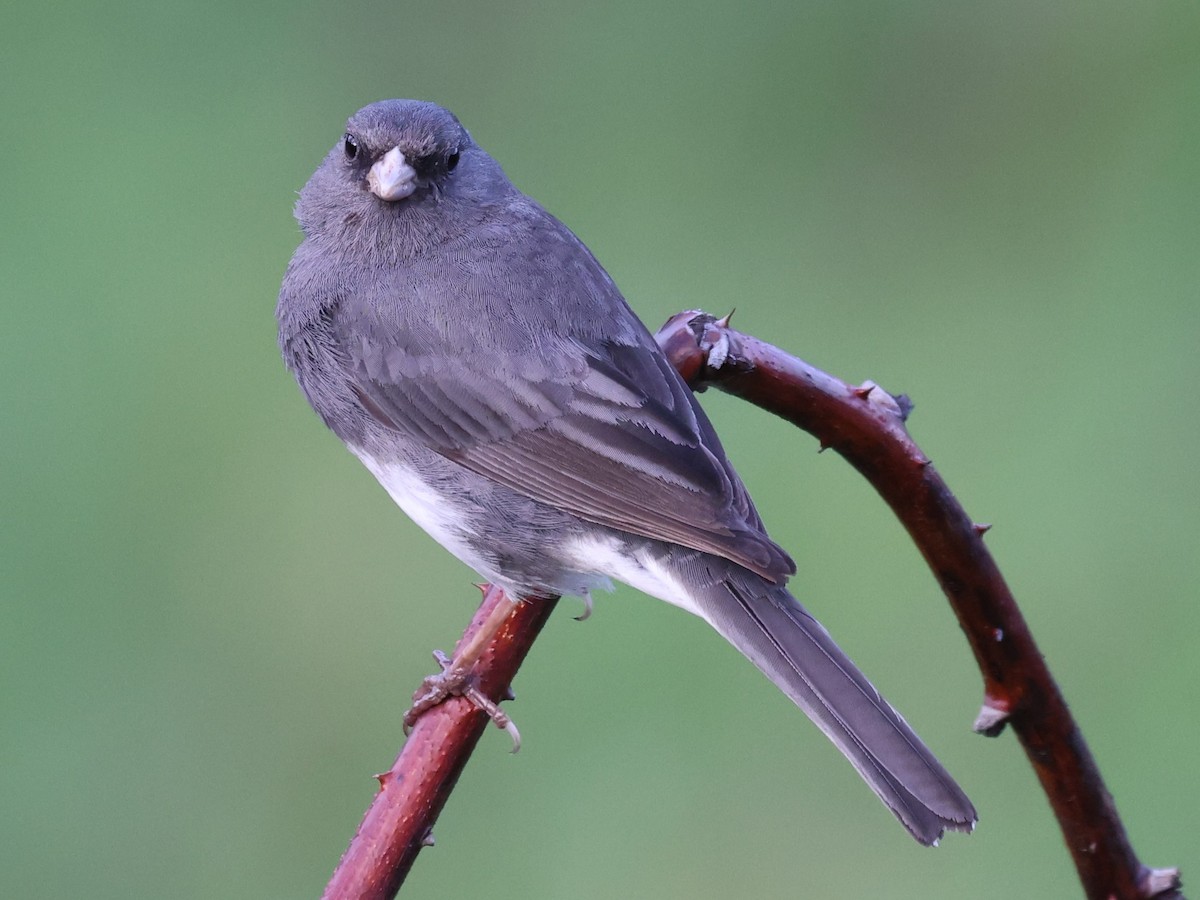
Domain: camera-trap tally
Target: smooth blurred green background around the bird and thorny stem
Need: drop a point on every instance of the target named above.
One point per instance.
(213, 617)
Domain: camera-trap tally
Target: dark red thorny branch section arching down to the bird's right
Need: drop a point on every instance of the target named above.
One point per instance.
(866, 425)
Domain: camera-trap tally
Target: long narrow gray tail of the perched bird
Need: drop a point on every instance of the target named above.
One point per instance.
(795, 651)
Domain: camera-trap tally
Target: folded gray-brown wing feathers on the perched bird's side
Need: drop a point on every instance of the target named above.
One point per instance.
(605, 430)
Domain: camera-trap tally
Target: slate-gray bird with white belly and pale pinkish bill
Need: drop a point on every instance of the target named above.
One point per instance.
(475, 356)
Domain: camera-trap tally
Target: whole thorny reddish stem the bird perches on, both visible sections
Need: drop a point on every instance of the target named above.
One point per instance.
(866, 425)
